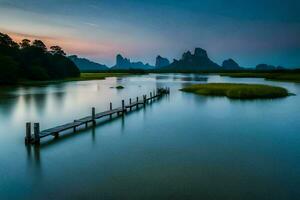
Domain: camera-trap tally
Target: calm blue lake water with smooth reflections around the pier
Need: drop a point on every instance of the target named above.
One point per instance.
(183, 146)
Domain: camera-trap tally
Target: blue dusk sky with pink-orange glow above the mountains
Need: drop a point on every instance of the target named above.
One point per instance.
(249, 31)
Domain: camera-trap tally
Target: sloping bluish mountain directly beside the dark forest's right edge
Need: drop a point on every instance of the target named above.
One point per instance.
(86, 65)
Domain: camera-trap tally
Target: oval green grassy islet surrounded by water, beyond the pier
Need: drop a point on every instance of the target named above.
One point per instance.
(238, 91)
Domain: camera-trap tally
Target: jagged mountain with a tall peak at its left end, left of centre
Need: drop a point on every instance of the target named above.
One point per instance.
(125, 64)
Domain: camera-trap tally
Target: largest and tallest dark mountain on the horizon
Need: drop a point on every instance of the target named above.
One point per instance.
(197, 61)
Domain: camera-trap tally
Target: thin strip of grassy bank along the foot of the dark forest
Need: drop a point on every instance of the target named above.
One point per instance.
(83, 77)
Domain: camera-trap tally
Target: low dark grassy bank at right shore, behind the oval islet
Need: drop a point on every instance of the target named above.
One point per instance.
(276, 76)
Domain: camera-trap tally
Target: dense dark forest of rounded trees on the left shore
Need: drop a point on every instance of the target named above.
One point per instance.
(33, 61)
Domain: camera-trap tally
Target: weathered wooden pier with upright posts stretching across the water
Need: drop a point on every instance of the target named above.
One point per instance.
(55, 131)
